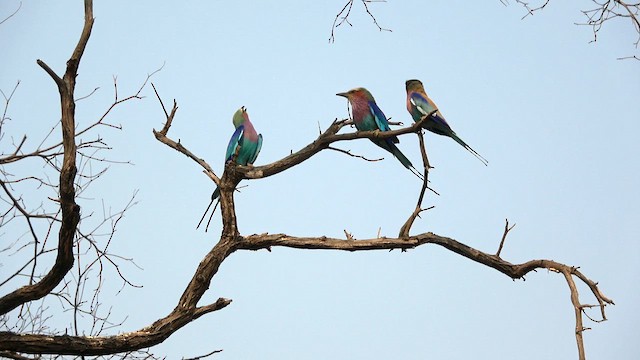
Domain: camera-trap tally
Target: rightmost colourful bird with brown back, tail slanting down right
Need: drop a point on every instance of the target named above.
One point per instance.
(419, 105)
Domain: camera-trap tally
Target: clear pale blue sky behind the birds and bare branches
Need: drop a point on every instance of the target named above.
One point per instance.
(556, 117)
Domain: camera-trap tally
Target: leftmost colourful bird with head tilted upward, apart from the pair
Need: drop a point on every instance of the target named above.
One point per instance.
(243, 149)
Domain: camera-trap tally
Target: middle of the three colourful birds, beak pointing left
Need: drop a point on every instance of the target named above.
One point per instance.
(367, 116)
